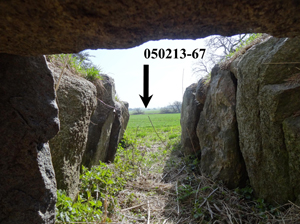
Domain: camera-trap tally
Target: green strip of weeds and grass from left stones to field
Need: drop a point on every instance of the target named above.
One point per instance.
(99, 195)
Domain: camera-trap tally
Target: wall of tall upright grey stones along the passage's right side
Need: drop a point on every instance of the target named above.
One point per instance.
(250, 119)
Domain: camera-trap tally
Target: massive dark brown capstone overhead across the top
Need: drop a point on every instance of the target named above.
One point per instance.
(45, 27)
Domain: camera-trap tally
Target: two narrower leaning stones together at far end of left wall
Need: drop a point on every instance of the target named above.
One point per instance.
(107, 124)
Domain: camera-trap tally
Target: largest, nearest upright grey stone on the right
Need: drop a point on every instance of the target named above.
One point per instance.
(264, 101)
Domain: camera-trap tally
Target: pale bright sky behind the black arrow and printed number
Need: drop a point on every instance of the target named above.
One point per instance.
(168, 78)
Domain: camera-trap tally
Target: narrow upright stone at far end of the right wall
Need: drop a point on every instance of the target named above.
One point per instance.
(190, 113)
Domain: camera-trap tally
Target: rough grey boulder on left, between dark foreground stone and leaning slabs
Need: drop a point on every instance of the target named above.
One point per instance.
(76, 99)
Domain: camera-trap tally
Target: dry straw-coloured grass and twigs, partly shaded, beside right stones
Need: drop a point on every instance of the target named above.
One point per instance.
(180, 194)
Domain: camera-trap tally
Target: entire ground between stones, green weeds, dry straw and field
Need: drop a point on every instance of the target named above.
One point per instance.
(152, 181)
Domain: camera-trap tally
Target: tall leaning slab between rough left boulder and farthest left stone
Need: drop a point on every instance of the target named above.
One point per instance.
(101, 123)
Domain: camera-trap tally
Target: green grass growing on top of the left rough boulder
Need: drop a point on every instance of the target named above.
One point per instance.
(78, 64)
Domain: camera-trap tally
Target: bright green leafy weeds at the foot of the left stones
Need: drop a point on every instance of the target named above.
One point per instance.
(98, 188)
